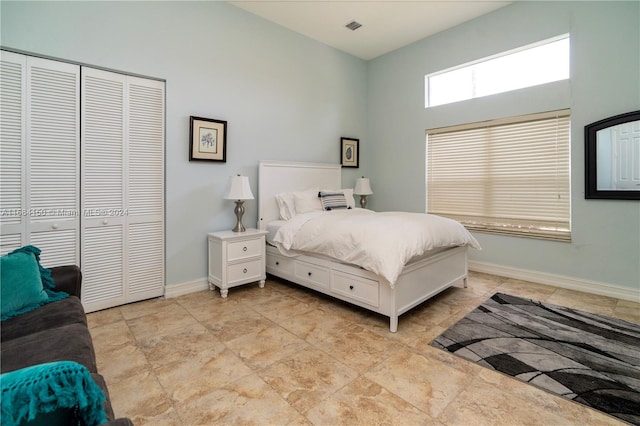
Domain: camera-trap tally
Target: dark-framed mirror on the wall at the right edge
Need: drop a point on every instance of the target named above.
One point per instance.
(612, 158)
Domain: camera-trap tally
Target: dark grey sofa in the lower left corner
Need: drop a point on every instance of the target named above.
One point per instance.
(55, 331)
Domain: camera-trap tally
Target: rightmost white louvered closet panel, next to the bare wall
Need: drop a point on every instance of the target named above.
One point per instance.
(145, 186)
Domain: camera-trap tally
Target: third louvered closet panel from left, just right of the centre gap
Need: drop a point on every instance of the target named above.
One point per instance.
(103, 189)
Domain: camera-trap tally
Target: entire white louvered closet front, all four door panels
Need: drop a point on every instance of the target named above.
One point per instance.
(82, 174)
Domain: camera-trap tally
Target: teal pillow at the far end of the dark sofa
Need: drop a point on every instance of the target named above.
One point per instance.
(20, 282)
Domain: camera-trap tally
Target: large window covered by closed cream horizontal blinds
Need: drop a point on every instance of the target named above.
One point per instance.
(509, 176)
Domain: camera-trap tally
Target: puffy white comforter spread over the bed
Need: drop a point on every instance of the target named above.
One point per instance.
(382, 243)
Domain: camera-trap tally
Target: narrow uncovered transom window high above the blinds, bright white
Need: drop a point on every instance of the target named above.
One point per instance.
(531, 65)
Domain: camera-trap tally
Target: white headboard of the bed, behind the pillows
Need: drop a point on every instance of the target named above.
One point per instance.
(275, 177)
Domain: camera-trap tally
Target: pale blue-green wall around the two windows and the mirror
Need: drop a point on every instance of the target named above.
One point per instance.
(605, 81)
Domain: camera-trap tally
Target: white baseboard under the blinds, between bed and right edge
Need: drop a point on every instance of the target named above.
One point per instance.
(560, 281)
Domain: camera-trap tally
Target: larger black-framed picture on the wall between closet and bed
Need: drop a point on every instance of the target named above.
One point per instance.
(207, 139)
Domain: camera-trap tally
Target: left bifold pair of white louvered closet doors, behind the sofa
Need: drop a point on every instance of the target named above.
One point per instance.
(40, 157)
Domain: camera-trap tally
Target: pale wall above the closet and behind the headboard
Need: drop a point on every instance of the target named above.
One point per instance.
(284, 96)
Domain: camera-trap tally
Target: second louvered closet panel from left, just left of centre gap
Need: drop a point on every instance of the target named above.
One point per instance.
(53, 141)
